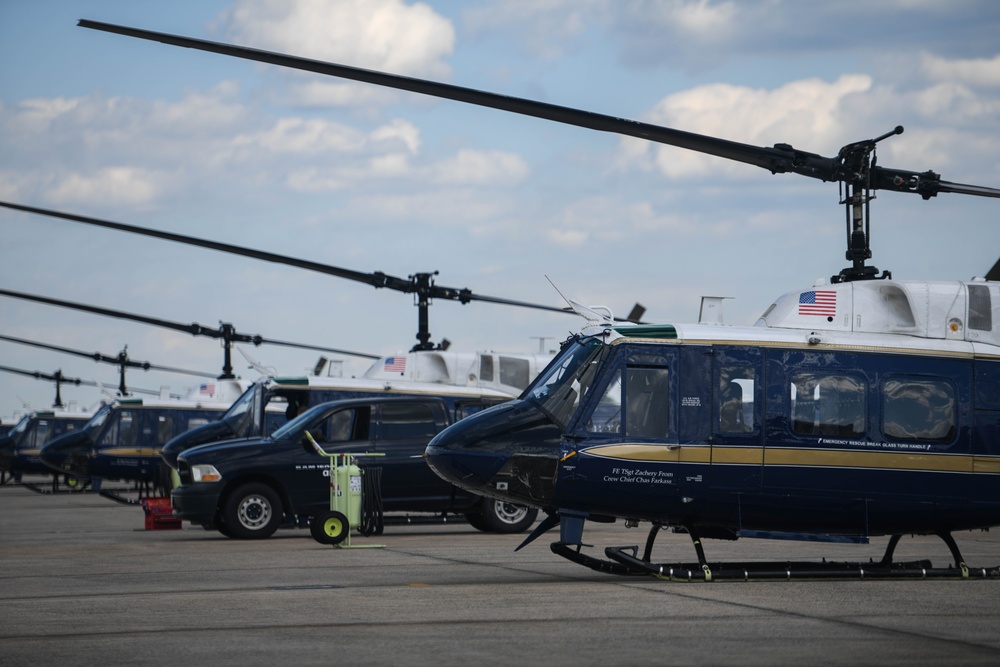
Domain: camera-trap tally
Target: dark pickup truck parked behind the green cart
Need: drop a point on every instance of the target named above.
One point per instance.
(248, 488)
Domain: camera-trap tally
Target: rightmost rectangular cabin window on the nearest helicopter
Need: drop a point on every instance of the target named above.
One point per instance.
(919, 409)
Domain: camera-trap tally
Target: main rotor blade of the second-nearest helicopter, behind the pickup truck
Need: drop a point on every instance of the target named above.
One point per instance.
(377, 279)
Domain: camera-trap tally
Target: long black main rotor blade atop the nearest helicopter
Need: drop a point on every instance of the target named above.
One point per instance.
(780, 158)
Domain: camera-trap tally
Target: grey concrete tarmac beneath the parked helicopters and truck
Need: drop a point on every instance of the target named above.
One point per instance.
(82, 581)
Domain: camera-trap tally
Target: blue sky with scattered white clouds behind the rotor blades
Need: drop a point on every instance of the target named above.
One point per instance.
(368, 179)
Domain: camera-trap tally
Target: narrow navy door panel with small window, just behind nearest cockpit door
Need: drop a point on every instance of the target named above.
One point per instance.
(737, 444)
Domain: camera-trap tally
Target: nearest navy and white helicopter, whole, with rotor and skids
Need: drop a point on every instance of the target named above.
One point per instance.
(859, 406)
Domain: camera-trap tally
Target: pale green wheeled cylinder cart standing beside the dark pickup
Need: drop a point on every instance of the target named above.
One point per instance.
(334, 526)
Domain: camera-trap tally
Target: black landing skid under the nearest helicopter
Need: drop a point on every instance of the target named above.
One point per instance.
(625, 561)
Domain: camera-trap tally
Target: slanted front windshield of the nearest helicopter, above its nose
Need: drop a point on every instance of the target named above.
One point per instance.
(563, 384)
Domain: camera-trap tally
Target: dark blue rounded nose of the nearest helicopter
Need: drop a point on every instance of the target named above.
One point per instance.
(509, 452)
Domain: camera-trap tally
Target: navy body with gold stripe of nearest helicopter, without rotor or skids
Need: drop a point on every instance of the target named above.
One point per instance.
(743, 430)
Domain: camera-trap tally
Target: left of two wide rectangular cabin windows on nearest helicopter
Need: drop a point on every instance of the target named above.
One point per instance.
(827, 405)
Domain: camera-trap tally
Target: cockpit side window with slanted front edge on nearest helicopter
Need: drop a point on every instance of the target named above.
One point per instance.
(645, 395)
